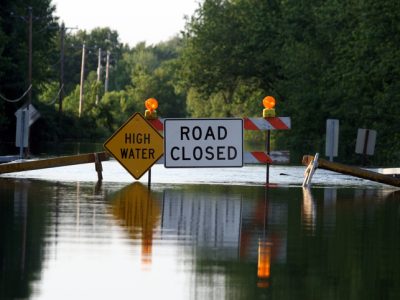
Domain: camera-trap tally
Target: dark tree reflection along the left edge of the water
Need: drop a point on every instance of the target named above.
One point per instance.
(21, 231)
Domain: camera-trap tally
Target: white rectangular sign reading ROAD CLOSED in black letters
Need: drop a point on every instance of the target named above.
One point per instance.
(203, 143)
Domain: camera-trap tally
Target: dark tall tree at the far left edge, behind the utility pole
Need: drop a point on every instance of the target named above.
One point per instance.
(14, 49)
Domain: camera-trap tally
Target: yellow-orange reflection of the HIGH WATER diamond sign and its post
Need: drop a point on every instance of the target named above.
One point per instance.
(140, 214)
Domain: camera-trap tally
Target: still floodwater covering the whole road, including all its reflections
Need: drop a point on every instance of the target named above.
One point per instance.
(197, 234)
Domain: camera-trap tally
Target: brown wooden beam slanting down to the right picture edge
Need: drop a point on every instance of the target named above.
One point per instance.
(353, 171)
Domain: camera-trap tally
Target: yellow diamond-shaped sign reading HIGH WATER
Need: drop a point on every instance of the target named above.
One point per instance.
(136, 145)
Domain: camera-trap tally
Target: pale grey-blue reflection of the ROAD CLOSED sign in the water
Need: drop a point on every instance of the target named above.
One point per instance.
(209, 220)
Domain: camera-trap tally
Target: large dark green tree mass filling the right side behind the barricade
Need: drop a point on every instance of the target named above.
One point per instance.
(320, 59)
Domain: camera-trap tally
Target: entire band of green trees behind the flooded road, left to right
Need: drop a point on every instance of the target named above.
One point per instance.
(320, 59)
